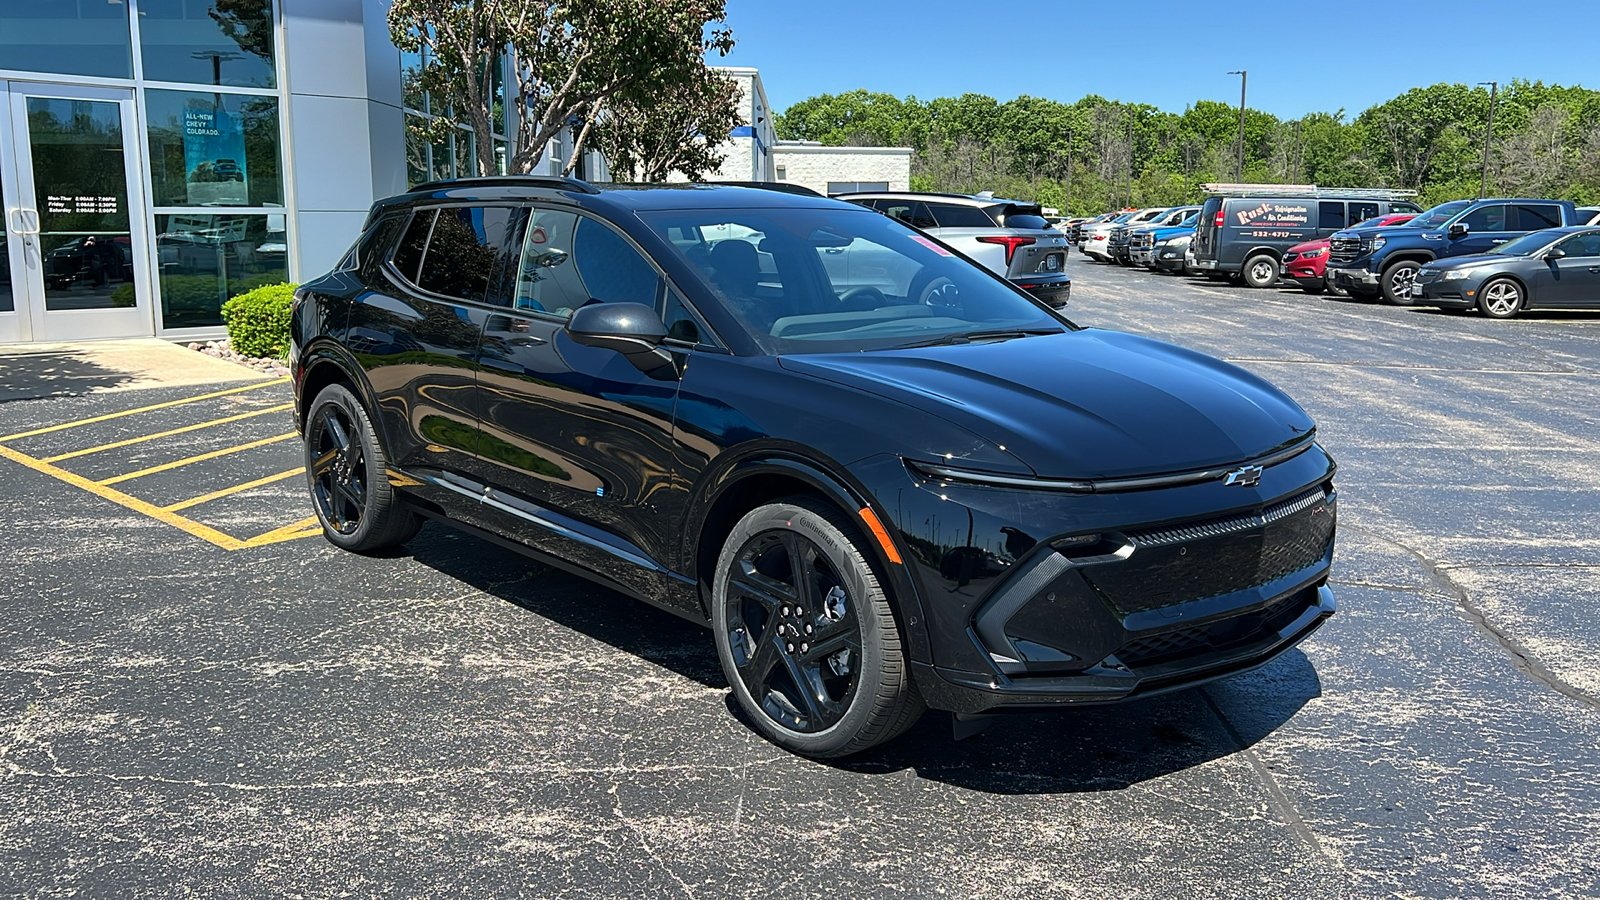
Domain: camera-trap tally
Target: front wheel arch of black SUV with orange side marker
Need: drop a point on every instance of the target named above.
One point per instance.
(764, 476)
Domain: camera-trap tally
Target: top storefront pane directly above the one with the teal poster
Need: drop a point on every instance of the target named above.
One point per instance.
(222, 42)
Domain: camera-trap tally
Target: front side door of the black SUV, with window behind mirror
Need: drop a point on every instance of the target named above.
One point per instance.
(577, 443)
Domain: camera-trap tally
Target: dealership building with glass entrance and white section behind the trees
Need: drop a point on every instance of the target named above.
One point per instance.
(162, 156)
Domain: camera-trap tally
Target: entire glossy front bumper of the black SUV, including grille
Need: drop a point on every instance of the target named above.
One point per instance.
(1209, 589)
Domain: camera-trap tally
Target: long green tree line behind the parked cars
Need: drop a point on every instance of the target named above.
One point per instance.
(1098, 155)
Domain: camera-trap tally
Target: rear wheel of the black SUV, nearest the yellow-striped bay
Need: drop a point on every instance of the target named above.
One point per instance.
(348, 478)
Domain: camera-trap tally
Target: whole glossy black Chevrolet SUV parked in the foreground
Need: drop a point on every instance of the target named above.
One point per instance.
(882, 475)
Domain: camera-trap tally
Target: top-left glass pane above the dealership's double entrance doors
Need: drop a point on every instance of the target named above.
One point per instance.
(66, 39)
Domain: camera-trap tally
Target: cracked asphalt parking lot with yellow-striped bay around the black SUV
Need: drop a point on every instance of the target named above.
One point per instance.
(194, 701)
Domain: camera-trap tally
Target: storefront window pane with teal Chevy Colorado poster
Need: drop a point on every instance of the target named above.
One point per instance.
(214, 150)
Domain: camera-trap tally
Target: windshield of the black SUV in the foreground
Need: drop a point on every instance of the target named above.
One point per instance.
(823, 281)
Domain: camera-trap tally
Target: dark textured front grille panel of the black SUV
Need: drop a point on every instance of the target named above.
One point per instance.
(1218, 556)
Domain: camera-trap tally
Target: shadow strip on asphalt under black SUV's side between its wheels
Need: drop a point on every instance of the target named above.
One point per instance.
(607, 616)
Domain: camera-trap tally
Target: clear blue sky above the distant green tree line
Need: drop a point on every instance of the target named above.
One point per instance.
(1169, 54)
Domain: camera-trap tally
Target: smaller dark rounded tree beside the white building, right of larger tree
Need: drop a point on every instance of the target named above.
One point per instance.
(646, 135)
